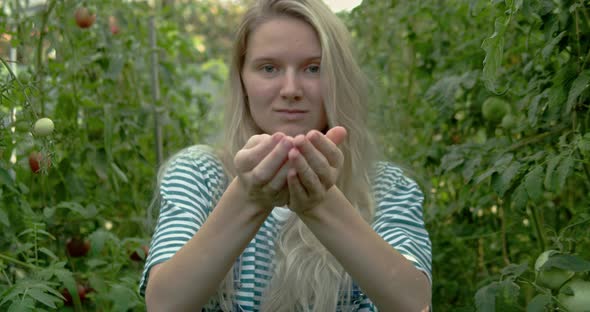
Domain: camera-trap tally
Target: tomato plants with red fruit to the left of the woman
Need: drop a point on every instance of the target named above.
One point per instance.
(77, 153)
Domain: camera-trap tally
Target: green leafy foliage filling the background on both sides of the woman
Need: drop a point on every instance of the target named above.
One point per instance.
(499, 192)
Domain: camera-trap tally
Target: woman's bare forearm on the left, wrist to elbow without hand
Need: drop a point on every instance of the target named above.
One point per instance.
(187, 281)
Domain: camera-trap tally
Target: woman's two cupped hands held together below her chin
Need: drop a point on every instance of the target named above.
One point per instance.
(277, 170)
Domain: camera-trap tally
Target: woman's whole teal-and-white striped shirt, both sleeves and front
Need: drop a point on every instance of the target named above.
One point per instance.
(195, 180)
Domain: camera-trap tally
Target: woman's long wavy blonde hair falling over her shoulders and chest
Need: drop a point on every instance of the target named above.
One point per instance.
(305, 274)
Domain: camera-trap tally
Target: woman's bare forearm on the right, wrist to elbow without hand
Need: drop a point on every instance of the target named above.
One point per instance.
(387, 277)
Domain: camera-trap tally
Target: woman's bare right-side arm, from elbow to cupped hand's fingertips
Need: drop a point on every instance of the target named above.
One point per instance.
(391, 281)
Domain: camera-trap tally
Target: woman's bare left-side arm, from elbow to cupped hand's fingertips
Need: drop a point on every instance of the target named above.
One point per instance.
(188, 279)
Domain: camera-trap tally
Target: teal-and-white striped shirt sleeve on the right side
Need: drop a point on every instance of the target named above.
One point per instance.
(399, 216)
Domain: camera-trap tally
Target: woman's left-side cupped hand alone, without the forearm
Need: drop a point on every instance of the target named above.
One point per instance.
(262, 168)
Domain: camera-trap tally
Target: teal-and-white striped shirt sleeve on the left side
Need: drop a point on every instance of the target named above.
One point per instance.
(192, 182)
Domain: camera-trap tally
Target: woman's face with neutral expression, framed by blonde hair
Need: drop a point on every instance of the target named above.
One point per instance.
(281, 75)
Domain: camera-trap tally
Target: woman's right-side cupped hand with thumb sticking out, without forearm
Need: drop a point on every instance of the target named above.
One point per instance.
(315, 163)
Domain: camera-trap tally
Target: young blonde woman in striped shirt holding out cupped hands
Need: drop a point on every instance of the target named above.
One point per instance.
(293, 213)
